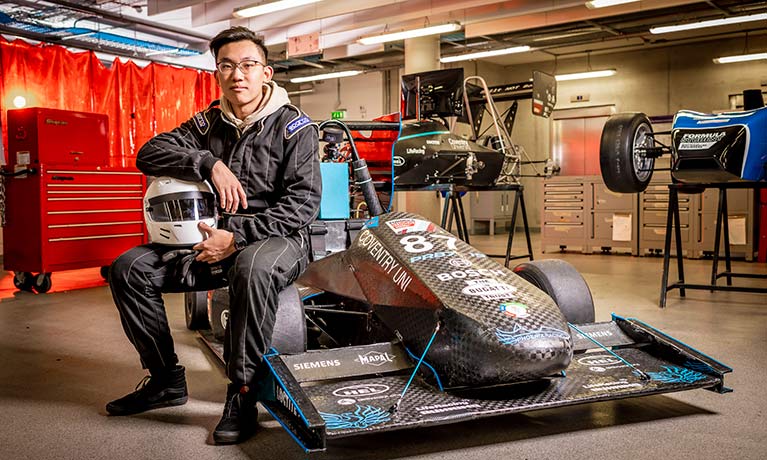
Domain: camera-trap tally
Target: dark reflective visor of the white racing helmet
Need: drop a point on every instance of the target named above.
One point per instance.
(182, 206)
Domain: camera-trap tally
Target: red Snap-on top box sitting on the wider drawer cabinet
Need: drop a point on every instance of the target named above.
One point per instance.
(50, 136)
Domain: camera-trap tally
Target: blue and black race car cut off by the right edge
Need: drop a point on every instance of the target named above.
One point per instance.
(705, 148)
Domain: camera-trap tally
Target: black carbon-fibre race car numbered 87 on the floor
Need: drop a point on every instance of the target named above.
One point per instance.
(412, 327)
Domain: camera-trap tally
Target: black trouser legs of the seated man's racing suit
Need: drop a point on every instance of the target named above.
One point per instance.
(255, 276)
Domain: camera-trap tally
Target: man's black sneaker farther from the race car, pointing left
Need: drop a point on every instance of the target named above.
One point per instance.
(153, 392)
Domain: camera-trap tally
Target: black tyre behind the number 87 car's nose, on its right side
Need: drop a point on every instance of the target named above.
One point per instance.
(562, 282)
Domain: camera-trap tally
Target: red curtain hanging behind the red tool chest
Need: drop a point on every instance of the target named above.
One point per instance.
(140, 102)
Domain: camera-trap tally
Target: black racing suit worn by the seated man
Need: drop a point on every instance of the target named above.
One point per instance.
(276, 160)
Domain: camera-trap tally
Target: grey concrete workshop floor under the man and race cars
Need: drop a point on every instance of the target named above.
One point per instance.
(63, 355)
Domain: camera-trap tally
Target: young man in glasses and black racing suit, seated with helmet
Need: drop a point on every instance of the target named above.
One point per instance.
(261, 155)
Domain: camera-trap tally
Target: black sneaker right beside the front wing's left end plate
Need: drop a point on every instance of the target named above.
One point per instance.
(240, 417)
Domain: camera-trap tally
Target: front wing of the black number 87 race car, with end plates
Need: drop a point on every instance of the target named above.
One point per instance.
(326, 394)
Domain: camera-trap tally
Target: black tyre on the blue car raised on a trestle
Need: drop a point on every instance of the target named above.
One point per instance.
(624, 168)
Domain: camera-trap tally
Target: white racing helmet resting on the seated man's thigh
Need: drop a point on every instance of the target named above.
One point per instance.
(173, 207)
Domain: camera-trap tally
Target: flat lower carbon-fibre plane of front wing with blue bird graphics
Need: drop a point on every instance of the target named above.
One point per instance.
(353, 407)
